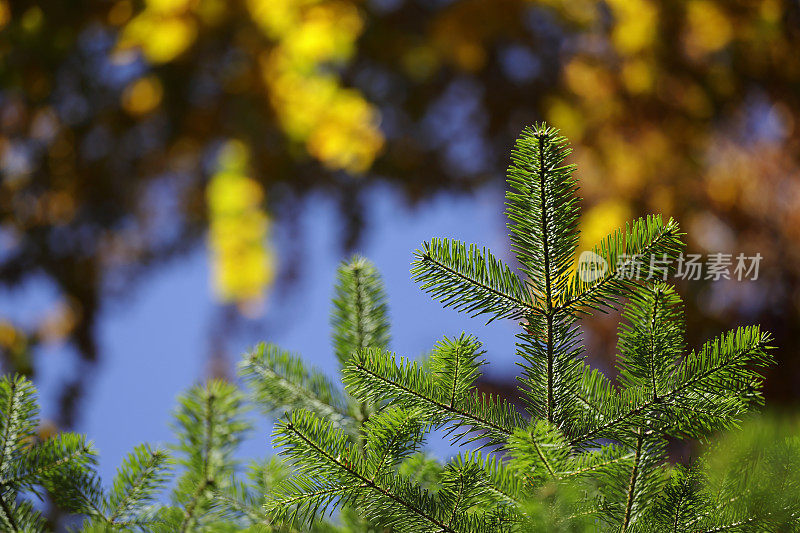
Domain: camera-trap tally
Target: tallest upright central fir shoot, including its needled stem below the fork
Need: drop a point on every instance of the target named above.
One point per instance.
(542, 209)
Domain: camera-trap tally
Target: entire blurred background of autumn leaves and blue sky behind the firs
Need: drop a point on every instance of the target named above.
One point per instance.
(180, 178)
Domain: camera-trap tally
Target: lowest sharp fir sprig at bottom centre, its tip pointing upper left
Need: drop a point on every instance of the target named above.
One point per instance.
(331, 472)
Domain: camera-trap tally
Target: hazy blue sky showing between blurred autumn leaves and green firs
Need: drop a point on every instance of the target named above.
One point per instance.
(154, 343)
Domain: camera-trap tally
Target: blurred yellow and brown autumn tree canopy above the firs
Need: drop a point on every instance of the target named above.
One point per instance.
(130, 130)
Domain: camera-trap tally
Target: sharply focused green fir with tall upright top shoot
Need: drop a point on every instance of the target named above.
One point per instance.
(599, 446)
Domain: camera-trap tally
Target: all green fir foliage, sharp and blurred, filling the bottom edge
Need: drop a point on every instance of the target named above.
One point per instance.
(584, 454)
